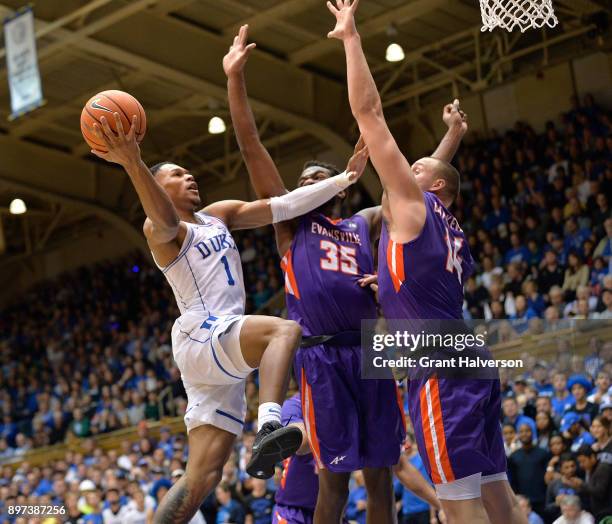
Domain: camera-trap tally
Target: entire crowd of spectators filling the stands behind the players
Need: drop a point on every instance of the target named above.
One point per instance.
(89, 352)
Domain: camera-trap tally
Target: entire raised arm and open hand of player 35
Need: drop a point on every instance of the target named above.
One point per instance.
(262, 170)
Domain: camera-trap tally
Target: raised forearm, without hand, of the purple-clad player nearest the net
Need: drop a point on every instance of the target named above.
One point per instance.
(363, 93)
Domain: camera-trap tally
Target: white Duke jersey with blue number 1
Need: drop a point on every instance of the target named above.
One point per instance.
(206, 276)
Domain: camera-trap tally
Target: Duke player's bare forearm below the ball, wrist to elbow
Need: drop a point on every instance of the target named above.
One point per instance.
(155, 201)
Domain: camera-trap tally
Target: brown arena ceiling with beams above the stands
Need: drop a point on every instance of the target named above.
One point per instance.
(168, 54)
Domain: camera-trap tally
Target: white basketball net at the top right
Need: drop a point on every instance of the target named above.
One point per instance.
(513, 14)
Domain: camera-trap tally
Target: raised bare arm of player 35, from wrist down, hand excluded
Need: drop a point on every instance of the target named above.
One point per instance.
(262, 171)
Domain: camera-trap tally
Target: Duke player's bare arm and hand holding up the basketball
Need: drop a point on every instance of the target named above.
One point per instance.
(163, 222)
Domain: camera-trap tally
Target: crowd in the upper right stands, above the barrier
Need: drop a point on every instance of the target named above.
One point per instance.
(537, 211)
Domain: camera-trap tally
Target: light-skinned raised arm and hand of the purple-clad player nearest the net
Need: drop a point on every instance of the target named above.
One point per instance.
(393, 168)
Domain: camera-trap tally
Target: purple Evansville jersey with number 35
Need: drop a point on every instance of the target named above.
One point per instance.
(326, 259)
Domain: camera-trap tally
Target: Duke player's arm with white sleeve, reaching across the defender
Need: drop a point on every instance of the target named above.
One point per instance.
(247, 215)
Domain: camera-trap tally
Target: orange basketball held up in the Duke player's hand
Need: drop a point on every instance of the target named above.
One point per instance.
(105, 104)
